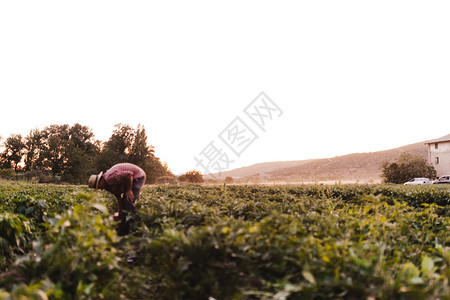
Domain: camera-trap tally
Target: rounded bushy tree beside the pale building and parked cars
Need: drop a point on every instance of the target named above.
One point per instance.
(407, 167)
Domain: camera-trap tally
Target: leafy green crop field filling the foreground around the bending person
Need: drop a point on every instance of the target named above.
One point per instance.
(227, 242)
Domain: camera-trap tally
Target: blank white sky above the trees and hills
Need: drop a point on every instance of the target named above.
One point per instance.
(349, 76)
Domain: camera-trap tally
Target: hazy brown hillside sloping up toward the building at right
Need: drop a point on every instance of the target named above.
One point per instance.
(363, 167)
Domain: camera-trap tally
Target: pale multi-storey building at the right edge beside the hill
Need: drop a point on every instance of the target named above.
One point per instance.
(439, 154)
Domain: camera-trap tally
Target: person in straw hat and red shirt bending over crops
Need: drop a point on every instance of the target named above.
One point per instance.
(124, 181)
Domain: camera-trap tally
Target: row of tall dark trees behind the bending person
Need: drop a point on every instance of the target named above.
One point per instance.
(64, 153)
